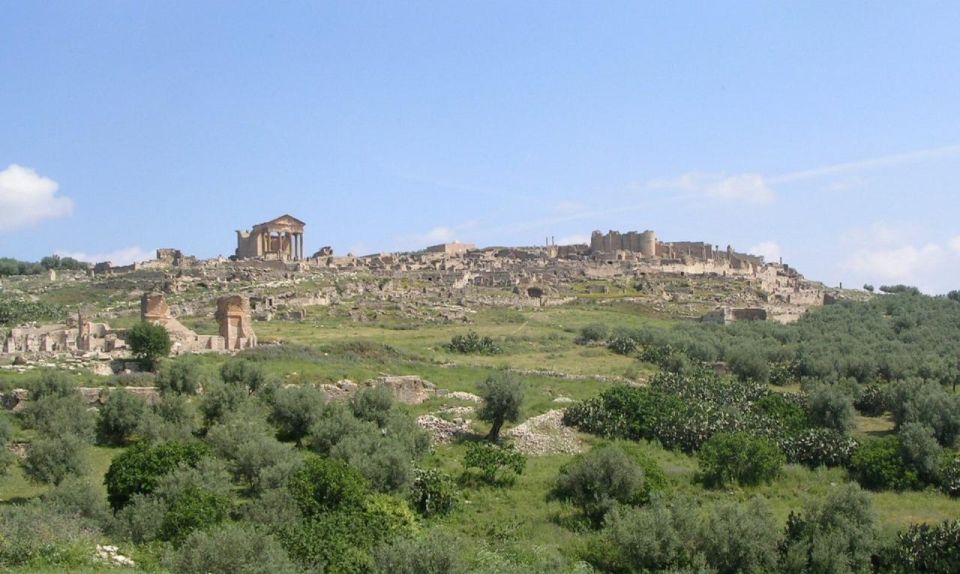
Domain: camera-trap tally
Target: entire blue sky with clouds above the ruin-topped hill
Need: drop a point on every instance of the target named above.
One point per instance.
(825, 132)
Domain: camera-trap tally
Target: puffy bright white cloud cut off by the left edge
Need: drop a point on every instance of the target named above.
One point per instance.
(27, 198)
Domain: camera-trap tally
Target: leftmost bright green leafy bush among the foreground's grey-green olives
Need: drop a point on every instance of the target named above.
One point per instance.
(139, 469)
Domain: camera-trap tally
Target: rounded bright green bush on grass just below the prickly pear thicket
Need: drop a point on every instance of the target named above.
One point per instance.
(739, 458)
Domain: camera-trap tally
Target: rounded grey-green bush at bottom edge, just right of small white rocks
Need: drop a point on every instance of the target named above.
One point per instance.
(230, 549)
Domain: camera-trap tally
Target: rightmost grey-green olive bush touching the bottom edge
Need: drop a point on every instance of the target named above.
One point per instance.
(836, 534)
